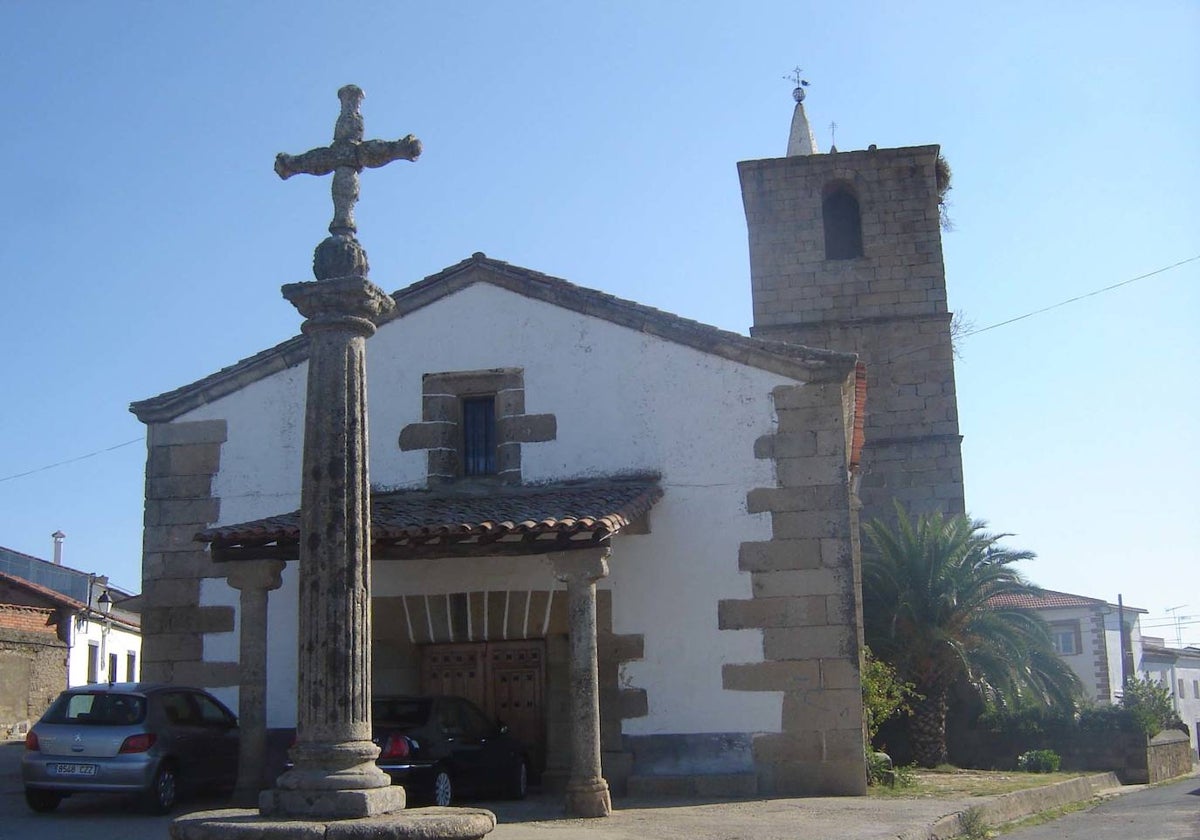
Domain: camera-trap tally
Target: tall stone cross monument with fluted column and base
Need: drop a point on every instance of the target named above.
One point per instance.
(334, 773)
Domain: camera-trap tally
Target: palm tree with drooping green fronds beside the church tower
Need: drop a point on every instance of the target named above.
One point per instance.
(926, 601)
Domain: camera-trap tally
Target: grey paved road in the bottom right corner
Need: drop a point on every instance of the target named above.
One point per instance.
(1161, 813)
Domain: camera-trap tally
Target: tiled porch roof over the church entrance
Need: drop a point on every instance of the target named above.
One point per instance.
(466, 519)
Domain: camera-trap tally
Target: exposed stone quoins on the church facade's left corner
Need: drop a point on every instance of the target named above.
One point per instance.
(182, 460)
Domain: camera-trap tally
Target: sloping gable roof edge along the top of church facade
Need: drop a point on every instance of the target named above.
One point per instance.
(800, 363)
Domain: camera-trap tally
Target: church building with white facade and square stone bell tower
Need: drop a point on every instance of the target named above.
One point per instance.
(531, 439)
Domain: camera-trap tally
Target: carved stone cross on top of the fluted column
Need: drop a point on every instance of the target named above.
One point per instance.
(346, 158)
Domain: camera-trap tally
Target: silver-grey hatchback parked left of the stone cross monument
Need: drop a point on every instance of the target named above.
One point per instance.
(139, 739)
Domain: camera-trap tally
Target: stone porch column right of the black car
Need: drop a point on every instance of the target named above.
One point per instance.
(587, 793)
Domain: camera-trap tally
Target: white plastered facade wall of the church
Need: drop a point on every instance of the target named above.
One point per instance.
(625, 401)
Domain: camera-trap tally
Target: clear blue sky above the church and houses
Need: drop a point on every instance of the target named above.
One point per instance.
(146, 237)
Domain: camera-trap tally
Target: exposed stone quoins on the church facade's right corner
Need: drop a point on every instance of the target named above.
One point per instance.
(807, 585)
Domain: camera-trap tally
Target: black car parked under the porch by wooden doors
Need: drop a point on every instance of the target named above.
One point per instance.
(442, 749)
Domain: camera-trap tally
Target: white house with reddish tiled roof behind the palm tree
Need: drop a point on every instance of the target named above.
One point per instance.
(1088, 637)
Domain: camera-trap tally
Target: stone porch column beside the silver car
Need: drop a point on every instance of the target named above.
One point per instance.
(255, 580)
